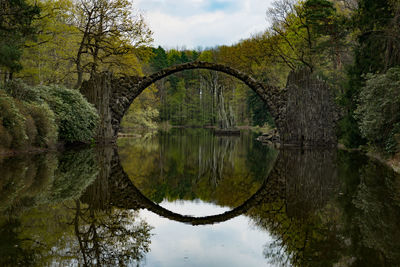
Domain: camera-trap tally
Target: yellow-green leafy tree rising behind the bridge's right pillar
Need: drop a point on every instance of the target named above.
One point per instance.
(307, 33)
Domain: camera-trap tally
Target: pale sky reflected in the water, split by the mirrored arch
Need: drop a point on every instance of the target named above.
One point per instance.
(231, 243)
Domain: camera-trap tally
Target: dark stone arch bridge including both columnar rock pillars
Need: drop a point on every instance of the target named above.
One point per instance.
(303, 111)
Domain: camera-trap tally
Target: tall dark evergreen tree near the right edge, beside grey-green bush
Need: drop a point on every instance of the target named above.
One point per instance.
(372, 20)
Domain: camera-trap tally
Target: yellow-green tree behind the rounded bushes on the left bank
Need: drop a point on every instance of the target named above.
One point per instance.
(47, 59)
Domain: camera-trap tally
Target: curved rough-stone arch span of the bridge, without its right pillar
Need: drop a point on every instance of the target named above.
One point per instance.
(124, 90)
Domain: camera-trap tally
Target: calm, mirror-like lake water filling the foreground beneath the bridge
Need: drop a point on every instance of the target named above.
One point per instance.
(188, 198)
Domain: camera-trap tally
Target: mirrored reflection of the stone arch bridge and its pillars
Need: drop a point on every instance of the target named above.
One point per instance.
(305, 181)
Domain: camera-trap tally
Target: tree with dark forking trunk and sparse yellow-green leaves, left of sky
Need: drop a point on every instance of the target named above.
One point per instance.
(108, 28)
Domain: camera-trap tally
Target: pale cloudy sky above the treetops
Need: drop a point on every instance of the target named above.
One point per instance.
(193, 24)
